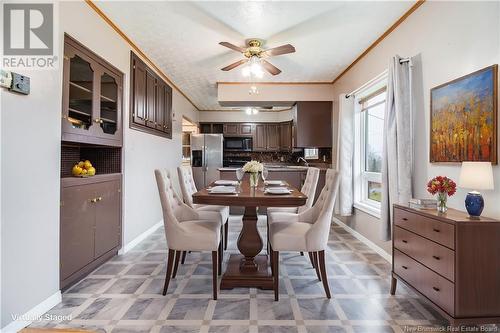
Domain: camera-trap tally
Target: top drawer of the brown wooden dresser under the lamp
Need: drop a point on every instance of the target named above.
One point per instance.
(440, 232)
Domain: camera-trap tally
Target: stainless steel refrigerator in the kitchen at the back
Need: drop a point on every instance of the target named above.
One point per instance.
(206, 158)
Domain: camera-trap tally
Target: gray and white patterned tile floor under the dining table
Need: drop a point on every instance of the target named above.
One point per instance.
(124, 295)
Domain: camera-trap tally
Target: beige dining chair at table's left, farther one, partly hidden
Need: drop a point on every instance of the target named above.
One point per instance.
(188, 188)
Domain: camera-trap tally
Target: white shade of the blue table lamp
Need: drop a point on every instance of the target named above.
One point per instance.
(476, 176)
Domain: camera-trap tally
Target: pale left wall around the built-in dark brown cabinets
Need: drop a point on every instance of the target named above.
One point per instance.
(30, 158)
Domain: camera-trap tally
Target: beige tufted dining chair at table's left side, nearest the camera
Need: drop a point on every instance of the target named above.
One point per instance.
(187, 230)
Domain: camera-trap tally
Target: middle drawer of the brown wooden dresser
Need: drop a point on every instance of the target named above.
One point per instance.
(437, 257)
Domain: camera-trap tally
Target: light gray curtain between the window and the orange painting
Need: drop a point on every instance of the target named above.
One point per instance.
(397, 158)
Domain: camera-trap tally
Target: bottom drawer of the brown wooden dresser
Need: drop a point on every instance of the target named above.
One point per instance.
(436, 288)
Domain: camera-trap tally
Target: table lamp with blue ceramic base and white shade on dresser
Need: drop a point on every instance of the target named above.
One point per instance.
(475, 176)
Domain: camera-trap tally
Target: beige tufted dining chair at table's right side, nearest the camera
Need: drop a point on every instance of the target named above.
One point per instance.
(307, 231)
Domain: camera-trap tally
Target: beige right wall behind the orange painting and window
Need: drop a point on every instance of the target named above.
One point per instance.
(450, 39)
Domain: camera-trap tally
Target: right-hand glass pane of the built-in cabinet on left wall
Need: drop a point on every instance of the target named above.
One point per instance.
(109, 104)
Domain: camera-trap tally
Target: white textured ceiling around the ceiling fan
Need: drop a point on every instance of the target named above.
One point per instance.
(182, 37)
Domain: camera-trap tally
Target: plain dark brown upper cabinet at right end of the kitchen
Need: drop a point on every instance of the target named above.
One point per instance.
(313, 125)
